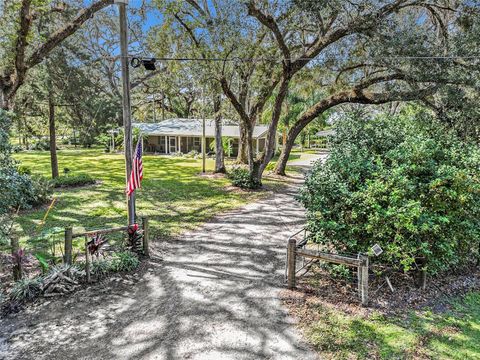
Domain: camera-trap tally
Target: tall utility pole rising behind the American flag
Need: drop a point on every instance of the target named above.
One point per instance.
(127, 121)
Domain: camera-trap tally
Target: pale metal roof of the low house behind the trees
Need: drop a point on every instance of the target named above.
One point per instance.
(193, 127)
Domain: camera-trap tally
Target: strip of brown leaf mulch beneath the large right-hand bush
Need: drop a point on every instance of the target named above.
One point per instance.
(317, 287)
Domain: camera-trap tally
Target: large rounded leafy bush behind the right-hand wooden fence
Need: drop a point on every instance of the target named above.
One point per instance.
(404, 182)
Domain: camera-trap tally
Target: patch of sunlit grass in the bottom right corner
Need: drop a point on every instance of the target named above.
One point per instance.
(454, 334)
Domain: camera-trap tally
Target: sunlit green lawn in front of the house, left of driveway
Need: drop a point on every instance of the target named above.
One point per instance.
(173, 194)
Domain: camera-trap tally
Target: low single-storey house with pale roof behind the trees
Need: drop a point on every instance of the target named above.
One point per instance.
(185, 135)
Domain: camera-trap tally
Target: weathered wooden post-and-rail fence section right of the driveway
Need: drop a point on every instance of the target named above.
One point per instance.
(295, 250)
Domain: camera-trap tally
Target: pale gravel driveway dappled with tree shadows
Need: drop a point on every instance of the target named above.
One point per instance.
(211, 294)
